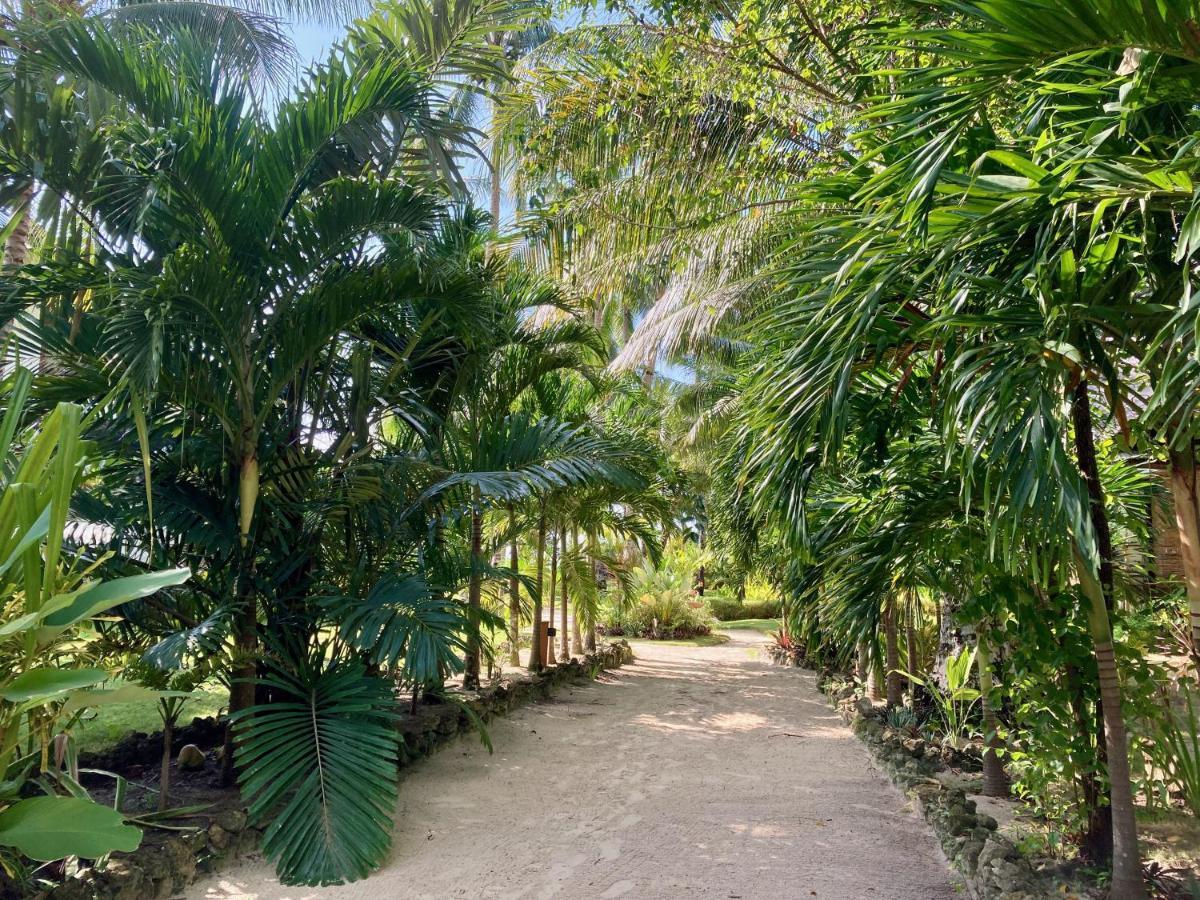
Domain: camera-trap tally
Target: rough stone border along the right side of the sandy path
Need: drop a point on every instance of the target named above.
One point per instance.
(991, 865)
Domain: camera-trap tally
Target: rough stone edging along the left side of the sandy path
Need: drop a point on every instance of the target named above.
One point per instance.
(161, 869)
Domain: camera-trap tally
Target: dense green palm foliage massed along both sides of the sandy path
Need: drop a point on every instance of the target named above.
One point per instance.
(874, 316)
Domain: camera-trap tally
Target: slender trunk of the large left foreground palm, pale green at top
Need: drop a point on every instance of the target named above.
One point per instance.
(242, 686)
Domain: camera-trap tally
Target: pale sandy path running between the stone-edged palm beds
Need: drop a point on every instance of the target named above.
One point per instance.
(698, 772)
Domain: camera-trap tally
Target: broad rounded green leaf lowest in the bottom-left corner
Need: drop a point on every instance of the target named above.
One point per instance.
(47, 829)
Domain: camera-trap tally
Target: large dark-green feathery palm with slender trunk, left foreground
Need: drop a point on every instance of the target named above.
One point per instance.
(247, 244)
